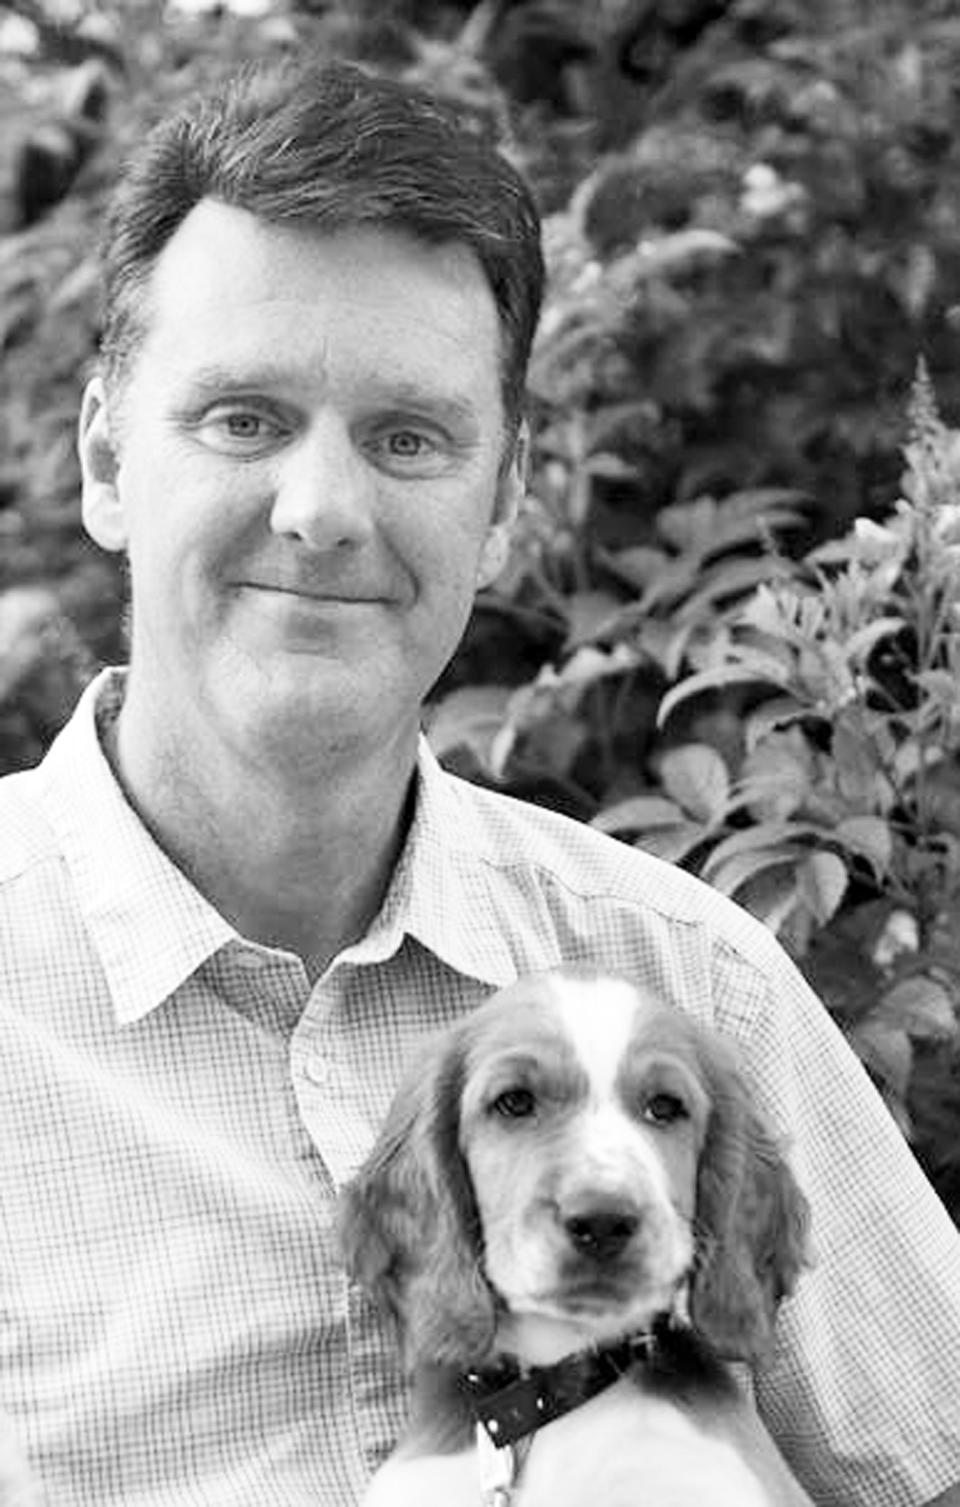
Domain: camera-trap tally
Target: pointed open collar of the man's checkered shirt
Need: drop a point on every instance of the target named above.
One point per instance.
(153, 929)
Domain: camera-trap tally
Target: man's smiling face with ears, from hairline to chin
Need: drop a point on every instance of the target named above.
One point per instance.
(311, 477)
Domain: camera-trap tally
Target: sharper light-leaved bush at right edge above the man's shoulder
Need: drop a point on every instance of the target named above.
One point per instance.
(846, 786)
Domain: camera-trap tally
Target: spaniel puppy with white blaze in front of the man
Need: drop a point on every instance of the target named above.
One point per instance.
(576, 1217)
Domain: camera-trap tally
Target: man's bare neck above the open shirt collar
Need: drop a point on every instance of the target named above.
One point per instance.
(296, 857)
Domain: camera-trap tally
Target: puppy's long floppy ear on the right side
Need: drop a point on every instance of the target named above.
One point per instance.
(751, 1224)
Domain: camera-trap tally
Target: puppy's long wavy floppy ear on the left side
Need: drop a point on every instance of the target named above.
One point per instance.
(409, 1224)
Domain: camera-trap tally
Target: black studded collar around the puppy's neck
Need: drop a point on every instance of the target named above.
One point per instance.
(512, 1404)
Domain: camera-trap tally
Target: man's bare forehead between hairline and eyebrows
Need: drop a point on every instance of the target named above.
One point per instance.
(233, 292)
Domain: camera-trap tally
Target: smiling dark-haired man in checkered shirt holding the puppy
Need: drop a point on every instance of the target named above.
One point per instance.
(239, 891)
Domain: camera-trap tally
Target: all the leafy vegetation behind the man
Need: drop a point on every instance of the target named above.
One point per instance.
(730, 626)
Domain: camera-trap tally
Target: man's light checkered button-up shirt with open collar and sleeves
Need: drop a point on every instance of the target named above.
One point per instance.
(179, 1110)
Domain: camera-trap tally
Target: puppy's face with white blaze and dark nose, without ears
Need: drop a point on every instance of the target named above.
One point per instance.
(582, 1120)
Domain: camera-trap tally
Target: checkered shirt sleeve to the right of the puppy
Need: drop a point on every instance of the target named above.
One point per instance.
(864, 1389)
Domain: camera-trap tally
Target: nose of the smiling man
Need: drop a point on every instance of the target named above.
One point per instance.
(325, 489)
